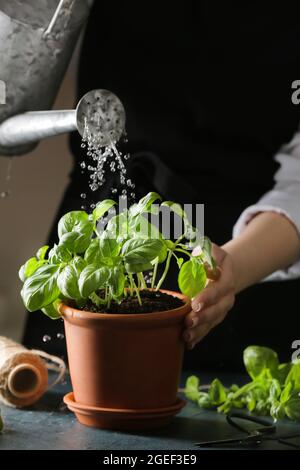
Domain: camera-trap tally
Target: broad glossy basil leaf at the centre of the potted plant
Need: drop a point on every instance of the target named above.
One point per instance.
(140, 251)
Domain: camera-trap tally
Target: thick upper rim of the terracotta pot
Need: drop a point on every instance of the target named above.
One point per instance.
(76, 316)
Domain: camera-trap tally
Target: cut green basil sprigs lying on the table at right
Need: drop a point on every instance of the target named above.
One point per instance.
(274, 389)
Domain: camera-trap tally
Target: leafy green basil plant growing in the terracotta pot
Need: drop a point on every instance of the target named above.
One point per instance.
(110, 263)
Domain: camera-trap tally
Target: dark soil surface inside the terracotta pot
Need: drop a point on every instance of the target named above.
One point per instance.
(151, 302)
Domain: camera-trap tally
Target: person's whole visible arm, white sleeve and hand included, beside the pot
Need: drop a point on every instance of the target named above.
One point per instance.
(265, 242)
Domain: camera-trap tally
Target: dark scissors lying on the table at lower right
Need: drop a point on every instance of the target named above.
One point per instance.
(265, 432)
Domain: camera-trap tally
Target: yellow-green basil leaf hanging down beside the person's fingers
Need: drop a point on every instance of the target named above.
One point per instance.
(192, 278)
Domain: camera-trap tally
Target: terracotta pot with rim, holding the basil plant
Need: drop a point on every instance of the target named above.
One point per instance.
(125, 362)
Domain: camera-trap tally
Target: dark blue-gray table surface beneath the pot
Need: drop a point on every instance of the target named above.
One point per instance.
(48, 425)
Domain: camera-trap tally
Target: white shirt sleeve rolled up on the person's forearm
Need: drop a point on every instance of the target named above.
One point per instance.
(283, 198)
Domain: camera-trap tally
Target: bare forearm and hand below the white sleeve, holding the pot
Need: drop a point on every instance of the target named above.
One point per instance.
(268, 243)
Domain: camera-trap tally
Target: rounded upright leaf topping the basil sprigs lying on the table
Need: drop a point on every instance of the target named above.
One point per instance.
(258, 358)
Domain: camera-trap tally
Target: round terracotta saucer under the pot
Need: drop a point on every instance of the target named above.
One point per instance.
(122, 419)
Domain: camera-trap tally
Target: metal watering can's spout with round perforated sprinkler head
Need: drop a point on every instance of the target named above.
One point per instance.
(99, 118)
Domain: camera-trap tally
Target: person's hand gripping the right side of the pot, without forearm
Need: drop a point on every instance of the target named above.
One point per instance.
(212, 304)
